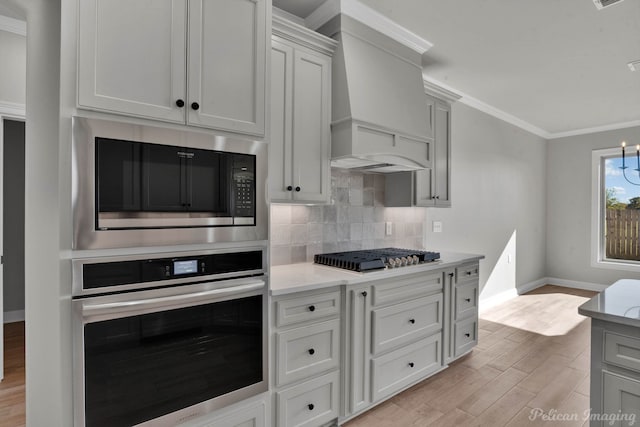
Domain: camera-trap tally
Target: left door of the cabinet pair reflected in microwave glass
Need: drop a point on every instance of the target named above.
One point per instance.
(163, 180)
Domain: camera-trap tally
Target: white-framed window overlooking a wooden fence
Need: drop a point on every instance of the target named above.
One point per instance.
(616, 209)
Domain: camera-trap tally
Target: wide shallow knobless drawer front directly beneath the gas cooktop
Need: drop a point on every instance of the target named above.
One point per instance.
(406, 288)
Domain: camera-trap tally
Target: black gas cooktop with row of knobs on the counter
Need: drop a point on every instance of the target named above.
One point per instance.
(375, 259)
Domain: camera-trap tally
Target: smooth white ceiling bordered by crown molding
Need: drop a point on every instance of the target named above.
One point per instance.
(553, 67)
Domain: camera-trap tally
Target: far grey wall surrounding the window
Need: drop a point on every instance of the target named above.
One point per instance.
(569, 201)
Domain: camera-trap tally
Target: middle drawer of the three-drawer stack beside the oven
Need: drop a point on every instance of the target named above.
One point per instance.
(307, 350)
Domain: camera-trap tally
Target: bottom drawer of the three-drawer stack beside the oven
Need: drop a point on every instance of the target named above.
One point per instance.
(311, 403)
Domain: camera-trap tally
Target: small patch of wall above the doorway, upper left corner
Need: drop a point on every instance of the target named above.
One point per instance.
(13, 51)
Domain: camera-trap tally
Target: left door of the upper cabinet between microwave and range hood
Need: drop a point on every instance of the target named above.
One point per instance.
(280, 150)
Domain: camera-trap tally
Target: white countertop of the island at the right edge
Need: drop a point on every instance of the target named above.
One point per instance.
(619, 303)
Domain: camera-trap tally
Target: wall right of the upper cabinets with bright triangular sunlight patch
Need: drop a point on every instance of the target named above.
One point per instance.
(498, 200)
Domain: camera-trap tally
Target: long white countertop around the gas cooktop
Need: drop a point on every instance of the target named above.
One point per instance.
(290, 278)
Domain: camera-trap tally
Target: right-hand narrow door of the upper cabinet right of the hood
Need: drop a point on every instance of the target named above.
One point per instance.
(442, 155)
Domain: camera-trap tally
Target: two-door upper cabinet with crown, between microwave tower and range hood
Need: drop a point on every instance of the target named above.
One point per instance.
(300, 139)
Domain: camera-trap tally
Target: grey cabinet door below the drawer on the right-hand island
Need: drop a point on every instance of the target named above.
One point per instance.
(620, 396)
